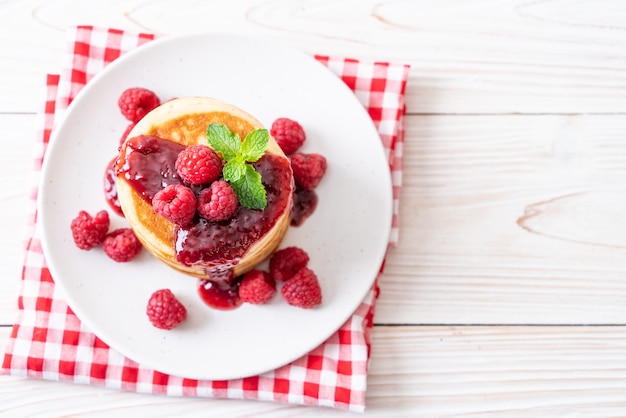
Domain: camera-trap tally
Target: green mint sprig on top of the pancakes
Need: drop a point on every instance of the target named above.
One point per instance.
(243, 178)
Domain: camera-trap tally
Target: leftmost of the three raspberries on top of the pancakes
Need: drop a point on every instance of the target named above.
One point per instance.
(176, 203)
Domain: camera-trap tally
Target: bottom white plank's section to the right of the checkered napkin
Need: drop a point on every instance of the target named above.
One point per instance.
(499, 371)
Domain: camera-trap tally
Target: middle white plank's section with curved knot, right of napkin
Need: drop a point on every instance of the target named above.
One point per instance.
(510, 219)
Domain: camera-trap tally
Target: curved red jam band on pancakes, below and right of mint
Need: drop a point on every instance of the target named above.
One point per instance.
(226, 241)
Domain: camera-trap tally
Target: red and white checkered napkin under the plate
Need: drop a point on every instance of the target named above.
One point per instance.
(48, 341)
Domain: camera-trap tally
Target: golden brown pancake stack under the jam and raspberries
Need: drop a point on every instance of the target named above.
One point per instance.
(185, 121)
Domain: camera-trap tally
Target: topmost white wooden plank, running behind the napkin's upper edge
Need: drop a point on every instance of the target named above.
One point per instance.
(511, 56)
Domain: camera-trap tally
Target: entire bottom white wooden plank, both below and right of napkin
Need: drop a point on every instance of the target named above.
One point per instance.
(415, 371)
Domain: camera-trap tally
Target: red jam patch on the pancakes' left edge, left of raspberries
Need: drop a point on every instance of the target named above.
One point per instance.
(148, 164)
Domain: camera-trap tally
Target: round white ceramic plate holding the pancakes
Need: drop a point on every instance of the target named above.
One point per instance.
(346, 237)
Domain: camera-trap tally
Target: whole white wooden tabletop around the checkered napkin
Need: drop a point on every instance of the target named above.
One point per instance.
(507, 293)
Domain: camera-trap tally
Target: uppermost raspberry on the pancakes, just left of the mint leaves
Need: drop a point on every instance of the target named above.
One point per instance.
(198, 164)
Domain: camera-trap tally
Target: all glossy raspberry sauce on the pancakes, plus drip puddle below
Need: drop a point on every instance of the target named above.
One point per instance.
(148, 164)
